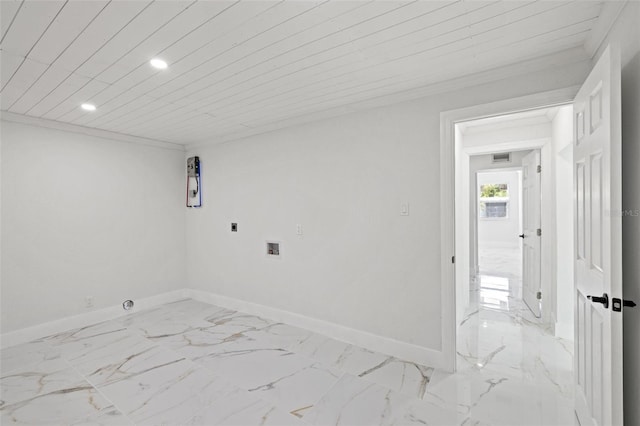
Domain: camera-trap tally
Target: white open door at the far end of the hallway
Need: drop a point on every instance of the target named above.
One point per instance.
(530, 236)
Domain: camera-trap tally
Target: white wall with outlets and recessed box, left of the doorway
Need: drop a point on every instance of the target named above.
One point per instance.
(359, 264)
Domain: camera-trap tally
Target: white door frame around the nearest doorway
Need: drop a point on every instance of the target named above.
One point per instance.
(454, 257)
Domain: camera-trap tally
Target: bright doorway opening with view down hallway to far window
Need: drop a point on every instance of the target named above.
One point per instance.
(507, 328)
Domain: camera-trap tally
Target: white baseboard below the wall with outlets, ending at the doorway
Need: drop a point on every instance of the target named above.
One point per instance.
(385, 345)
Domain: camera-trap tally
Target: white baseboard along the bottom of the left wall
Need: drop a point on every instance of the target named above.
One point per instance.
(28, 334)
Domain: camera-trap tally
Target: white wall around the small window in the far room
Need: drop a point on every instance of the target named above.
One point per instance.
(501, 232)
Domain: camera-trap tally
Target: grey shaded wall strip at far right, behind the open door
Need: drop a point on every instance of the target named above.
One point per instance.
(626, 33)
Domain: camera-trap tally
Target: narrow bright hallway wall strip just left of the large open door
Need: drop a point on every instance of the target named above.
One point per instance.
(562, 303)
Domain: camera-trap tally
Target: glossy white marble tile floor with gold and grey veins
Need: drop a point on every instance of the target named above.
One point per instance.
(191, 363)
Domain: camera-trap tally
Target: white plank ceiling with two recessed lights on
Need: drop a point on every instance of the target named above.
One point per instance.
(239, 65)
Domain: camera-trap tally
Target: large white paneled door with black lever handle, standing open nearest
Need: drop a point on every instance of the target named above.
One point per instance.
(598, 243)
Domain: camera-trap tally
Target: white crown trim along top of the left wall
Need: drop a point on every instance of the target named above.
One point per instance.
(104, 134)
